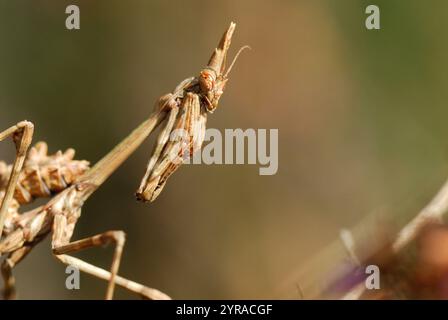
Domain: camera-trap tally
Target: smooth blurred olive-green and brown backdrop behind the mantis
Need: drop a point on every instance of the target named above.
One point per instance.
(361, 119)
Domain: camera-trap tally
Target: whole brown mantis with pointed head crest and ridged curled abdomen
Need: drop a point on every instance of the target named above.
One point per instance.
(20, 232)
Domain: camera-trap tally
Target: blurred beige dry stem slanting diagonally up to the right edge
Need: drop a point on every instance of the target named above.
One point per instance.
(432, 212)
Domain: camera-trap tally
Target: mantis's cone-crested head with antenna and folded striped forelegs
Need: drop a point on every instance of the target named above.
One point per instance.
(187, 109)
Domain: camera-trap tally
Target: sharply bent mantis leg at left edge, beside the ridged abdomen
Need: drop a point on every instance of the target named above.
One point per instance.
(22, 134)
